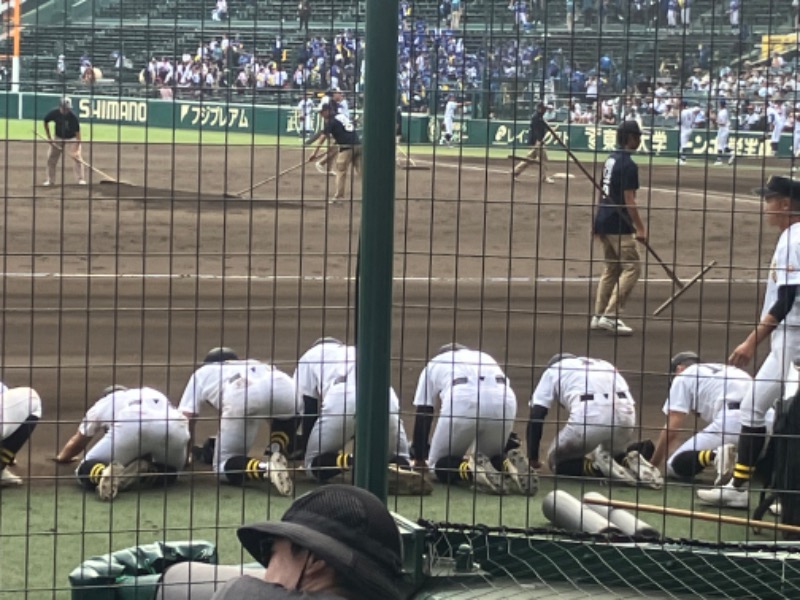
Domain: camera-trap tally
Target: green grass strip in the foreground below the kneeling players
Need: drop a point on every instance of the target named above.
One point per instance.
(48, 530)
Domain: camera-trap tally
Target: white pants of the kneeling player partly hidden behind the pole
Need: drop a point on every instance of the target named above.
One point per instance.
(336, 424)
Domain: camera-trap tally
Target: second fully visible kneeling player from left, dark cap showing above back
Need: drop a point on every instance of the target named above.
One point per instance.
(245, 392)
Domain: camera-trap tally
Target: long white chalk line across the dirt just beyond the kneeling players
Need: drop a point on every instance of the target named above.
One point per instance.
(334, 278)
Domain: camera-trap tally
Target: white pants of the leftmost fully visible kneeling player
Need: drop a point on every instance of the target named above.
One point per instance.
(134, 435)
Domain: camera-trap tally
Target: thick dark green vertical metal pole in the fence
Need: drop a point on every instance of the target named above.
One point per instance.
(376, 248)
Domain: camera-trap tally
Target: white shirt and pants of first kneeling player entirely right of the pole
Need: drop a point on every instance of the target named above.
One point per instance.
(478, 406)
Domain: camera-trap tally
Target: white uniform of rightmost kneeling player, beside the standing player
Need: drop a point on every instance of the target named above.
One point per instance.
(715, 392)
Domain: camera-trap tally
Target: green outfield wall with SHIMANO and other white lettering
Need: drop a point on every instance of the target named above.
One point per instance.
(417, 129)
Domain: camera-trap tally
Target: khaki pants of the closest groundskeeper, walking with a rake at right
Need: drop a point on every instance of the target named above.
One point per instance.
(622, 270)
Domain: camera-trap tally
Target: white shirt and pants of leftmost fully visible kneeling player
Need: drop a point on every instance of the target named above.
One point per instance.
(137, 422)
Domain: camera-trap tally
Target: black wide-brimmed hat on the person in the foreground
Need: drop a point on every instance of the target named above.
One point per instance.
(348, 528)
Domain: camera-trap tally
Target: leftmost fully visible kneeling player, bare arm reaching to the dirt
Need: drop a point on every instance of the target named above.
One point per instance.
(145, 442)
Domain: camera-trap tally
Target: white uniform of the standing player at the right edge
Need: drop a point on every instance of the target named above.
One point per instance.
(768, 386)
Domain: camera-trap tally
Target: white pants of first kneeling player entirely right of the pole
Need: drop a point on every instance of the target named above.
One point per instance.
(481, 414)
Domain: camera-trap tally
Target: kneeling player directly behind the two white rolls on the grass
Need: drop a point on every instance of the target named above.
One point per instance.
(597, 438)
